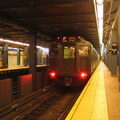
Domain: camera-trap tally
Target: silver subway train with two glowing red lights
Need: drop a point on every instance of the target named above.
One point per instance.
(72, 60)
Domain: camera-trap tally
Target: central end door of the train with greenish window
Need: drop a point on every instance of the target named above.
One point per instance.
(68, 60)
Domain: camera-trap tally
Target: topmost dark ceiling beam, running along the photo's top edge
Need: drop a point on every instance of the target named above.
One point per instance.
(15, 5)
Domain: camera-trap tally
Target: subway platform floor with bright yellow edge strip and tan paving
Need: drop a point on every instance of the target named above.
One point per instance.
(100, 99)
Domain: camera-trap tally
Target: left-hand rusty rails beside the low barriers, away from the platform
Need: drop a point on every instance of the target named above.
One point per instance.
(10, 111)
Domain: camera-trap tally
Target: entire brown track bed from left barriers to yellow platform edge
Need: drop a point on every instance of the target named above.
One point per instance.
(50, 103)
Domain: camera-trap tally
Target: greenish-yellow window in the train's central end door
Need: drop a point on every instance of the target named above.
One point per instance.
(69, 52)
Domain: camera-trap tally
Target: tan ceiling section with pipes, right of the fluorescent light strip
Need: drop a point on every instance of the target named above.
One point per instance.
(110, 19)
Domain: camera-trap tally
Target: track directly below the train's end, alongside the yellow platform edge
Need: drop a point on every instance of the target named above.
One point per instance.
(56, 108)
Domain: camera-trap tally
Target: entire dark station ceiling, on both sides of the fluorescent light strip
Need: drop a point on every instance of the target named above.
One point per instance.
(49, 19)
